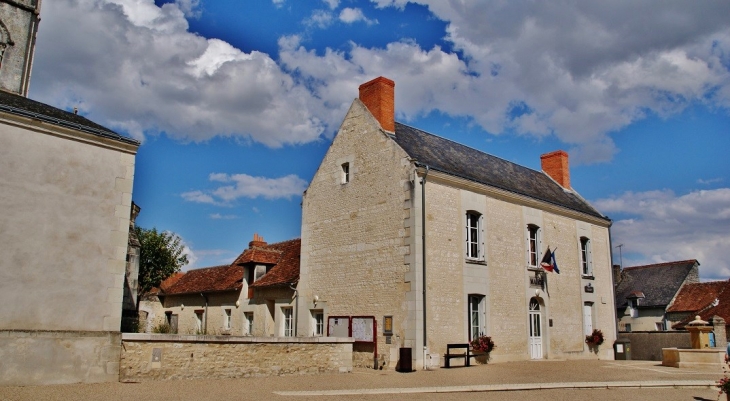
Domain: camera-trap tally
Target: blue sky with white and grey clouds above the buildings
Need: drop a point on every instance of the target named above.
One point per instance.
(236, 102)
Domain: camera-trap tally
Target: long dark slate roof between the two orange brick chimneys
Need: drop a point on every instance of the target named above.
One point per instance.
(462, 161)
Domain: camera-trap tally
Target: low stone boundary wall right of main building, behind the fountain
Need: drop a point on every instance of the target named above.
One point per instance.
(647, 345)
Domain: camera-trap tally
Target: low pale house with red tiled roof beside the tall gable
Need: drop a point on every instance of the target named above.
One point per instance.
(253, 296)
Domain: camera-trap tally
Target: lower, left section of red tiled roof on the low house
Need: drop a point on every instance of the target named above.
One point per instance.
(209, 279)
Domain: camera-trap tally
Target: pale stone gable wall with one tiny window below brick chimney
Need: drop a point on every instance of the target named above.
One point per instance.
(353, 236)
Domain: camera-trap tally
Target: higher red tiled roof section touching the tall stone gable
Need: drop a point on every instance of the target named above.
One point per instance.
(286, 270)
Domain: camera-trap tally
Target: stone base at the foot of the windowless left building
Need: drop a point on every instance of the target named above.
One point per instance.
(38, 357)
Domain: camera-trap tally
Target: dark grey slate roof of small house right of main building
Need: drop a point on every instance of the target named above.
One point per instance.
(658, 282)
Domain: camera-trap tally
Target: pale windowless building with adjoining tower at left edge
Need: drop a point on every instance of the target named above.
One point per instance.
(66, 192)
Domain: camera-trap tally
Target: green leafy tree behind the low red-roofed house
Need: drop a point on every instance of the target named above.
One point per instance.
(161, 255)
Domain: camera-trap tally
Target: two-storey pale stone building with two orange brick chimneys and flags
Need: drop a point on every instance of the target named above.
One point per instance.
(445, 242)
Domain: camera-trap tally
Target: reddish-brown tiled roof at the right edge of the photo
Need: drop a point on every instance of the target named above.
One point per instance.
(698, 299)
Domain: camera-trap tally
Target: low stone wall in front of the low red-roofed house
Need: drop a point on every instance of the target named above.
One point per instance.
(165, 356)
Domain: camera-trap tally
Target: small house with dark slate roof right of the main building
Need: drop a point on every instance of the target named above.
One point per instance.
(644, 293)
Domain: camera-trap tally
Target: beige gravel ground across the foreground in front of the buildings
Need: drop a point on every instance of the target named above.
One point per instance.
(527, 372)
